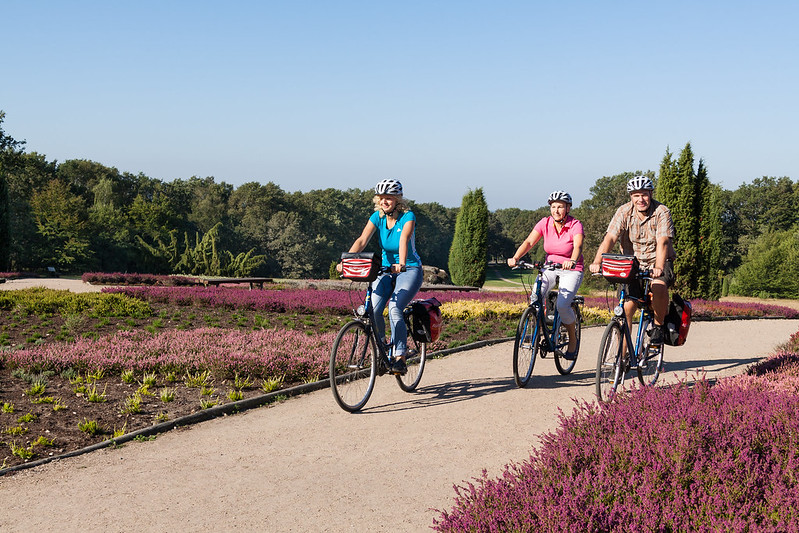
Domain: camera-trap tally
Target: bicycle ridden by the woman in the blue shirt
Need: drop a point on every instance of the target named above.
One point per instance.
(358, 357)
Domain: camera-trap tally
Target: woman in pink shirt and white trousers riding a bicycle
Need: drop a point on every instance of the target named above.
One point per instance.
(563, 243)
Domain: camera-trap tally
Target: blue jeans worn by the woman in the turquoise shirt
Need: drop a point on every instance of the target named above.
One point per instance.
(406, 285)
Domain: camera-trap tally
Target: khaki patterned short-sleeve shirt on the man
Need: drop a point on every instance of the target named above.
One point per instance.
(639, 237)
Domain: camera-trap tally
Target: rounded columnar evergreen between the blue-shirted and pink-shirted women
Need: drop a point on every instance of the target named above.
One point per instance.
(468, 255)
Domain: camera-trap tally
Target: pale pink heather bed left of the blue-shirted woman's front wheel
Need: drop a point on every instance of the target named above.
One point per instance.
(262, 353)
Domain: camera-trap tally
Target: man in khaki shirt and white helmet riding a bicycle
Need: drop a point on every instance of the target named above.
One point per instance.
(643, 228)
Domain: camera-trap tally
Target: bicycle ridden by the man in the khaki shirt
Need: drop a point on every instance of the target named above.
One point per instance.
(618, 354)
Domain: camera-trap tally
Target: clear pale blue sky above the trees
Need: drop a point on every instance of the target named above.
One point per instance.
(519, 98)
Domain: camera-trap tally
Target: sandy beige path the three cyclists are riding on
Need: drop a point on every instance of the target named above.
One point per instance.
(306, 465)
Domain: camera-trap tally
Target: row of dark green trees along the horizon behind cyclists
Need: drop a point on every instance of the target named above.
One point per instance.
(81, 216)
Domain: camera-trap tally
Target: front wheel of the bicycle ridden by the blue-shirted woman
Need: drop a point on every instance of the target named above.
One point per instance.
(353, 366)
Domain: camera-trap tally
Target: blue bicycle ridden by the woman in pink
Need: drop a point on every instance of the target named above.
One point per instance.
(540, 332)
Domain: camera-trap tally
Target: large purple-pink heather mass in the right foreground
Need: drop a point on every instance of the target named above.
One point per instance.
(682, 458)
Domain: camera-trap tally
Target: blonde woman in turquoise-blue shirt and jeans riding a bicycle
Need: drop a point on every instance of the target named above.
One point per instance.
(395, 225)
